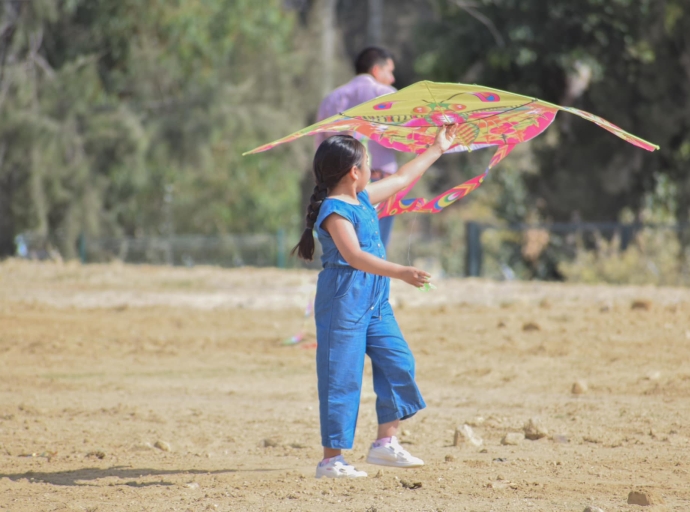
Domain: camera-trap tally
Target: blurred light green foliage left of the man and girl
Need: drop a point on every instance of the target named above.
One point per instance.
(127, 117)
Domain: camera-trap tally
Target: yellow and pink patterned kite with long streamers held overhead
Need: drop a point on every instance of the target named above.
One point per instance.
(408, 120)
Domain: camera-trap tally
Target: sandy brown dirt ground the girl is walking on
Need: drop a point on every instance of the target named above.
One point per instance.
(160, 389)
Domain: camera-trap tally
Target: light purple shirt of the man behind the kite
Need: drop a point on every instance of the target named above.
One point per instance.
(360, 89)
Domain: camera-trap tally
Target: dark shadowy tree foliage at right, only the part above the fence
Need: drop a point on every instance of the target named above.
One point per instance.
(626, 60)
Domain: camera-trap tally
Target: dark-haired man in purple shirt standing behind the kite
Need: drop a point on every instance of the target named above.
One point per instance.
(374, 67)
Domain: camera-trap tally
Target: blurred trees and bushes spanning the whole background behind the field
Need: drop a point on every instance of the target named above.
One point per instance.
(127, 118)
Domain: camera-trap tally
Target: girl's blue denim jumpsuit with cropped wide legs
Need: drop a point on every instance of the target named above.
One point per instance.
(353, 318)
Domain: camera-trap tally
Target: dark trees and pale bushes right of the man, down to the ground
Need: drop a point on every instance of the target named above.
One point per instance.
(626, 60)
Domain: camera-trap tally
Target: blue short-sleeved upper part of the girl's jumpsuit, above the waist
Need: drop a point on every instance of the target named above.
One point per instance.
(362, 216)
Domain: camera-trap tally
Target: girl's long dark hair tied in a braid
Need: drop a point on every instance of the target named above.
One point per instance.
(333, 159)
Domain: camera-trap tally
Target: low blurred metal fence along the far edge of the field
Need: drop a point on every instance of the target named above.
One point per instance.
(476, 249)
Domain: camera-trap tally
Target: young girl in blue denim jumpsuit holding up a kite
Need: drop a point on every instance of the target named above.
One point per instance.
(353, 315)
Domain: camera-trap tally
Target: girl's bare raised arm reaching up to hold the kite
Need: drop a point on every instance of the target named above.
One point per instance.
(385, 188)
